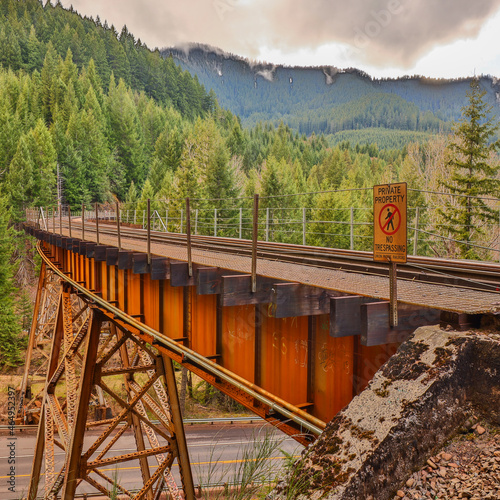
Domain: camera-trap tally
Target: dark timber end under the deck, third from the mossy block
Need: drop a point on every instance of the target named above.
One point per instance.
(295, 299)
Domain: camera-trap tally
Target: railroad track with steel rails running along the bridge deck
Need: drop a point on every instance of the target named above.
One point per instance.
(476, 275)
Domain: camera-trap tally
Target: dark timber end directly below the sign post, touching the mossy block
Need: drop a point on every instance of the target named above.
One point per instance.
(375, 329)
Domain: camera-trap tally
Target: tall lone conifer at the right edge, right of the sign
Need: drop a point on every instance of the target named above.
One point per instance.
(474, 172)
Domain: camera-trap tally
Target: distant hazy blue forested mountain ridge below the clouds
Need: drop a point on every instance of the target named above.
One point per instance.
(327, 99)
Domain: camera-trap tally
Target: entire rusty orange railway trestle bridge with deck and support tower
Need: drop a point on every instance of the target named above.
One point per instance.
(293, 333)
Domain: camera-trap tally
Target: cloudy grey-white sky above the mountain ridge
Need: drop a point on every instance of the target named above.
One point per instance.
(438, 38)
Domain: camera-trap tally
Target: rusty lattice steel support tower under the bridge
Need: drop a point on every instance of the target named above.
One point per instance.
(93, 355)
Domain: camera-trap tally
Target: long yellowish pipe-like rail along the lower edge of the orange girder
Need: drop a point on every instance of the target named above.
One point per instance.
(300, 417)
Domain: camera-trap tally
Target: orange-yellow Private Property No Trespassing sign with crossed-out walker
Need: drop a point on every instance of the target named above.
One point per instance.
(389, 222)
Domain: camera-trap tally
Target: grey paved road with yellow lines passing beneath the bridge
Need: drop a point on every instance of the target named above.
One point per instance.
(216, 453)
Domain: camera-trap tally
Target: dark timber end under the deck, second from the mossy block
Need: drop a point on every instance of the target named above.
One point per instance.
(345, 315)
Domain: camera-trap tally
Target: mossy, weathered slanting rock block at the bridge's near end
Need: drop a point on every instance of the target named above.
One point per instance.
(422, 396)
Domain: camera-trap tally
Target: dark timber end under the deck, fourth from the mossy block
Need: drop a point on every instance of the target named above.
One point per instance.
(237, 290)
